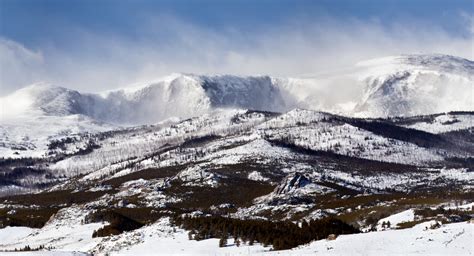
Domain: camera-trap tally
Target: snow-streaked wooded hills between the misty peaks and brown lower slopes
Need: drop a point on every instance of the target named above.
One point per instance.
(232, 137)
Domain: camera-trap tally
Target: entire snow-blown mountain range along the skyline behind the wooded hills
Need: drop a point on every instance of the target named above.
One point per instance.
(392, 86)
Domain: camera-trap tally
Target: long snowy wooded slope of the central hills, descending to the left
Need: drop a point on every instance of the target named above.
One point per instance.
(142, 143)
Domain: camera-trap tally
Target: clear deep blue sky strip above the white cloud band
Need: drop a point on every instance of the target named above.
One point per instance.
(36, 22)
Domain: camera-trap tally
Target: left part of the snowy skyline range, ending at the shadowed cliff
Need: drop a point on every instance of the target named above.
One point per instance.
(178, 95)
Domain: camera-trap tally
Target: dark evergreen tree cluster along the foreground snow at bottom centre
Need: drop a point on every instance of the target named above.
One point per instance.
(280, 234)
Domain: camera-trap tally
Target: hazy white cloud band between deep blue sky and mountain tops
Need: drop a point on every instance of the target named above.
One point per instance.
(165, 45)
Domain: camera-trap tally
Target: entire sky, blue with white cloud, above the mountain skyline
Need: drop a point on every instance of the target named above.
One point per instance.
(105, 44)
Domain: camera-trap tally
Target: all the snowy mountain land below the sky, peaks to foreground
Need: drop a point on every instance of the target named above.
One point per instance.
(222, 164)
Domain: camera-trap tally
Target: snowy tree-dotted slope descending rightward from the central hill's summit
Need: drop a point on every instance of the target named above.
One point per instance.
(316, 131)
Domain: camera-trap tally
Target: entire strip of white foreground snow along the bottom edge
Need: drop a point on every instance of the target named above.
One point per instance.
(162, 239)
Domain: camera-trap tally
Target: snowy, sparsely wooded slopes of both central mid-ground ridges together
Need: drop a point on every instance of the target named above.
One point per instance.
(246, 140)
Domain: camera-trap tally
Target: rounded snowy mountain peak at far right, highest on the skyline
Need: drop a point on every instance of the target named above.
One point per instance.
(416, 84)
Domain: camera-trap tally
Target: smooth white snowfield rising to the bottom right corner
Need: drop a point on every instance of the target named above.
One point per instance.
(451, 239)
